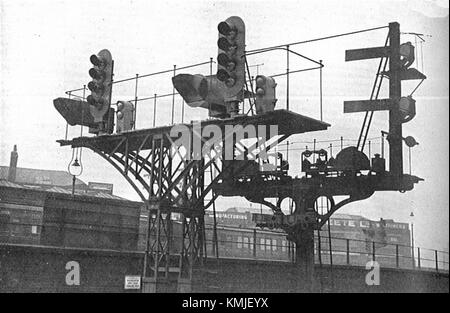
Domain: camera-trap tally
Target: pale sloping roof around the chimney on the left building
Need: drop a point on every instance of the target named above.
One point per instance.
(31, 176)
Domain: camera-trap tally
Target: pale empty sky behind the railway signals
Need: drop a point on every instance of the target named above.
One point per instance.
(45, 49)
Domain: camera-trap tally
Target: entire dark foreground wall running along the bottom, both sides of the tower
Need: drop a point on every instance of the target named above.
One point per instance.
(43, 269)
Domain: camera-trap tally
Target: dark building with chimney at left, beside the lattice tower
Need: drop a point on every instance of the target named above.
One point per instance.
(37, 207)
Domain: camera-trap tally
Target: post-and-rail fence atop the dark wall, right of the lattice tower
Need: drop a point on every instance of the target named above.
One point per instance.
(270, 245)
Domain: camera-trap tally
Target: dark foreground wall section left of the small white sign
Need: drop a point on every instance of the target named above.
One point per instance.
(43, 269)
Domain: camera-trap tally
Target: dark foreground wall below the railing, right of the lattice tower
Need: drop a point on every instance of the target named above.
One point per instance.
(257, 276)
